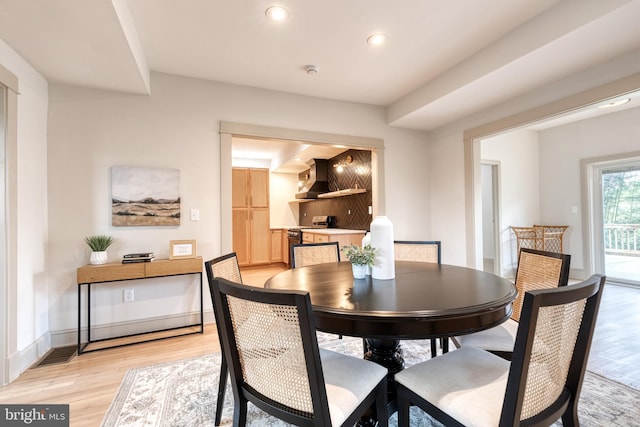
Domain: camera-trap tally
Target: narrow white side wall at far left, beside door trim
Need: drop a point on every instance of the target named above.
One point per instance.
(29, 324)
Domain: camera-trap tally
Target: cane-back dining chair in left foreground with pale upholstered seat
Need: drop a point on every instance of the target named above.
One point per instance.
(270, 343)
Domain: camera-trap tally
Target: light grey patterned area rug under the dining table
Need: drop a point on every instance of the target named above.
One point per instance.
(183, 393)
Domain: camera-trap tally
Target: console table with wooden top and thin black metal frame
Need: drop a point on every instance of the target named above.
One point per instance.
(118, 272)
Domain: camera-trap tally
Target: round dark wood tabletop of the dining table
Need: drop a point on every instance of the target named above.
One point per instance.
(425, 300)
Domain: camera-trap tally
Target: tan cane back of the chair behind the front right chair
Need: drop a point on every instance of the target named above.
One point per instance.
(539, 270)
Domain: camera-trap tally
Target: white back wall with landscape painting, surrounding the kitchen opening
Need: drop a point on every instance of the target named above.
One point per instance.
(177, 126)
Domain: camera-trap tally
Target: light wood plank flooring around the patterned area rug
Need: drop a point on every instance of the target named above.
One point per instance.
(90, 382)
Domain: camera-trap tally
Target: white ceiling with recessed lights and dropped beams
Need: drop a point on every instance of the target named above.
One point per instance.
(444, 59)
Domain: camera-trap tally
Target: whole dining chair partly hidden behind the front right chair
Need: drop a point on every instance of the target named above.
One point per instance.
(536, 270)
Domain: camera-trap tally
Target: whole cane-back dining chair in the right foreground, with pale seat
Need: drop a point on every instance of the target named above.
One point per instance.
(541, 384)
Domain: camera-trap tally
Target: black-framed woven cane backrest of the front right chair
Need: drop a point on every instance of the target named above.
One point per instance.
(551, 351)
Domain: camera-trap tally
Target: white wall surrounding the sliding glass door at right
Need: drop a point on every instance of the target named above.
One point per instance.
(561, 150)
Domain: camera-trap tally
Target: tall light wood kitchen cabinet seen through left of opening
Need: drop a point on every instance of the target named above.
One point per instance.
(251, 224)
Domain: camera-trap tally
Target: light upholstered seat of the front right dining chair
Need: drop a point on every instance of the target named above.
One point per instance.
(463, 383)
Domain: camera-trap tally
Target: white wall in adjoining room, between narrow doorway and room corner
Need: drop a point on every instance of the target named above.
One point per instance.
(517, 153)
